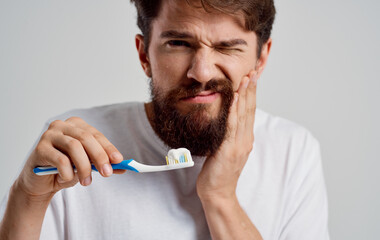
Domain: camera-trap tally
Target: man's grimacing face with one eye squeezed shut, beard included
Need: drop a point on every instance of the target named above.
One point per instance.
(196, 60)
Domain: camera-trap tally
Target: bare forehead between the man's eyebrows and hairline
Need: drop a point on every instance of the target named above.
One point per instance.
(181, 16)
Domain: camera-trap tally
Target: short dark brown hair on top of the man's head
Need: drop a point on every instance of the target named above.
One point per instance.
(258, 14)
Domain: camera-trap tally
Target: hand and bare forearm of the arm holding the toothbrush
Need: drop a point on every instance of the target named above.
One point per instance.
(63, 144)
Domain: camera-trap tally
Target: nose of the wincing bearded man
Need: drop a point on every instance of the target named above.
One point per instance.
(203, 67)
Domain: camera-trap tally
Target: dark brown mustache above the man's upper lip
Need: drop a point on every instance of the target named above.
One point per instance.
(221, 86)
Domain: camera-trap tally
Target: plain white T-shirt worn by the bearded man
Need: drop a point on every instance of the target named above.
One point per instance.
(281, 188)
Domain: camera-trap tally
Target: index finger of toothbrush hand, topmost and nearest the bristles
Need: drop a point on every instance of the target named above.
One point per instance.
(113, 154)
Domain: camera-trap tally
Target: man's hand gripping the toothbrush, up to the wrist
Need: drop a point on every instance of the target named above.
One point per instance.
(65, 143)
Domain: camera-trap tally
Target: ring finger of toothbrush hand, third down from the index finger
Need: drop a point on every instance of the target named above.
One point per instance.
(76, 153)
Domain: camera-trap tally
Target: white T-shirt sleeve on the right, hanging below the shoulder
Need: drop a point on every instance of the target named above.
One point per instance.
(307, 211)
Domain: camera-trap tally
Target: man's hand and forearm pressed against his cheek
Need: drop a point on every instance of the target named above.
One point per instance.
(216, 184)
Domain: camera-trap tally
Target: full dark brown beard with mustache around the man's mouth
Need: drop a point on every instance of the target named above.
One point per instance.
(195, 130)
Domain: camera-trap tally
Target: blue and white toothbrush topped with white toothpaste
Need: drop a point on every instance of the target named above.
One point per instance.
(176, 159)
